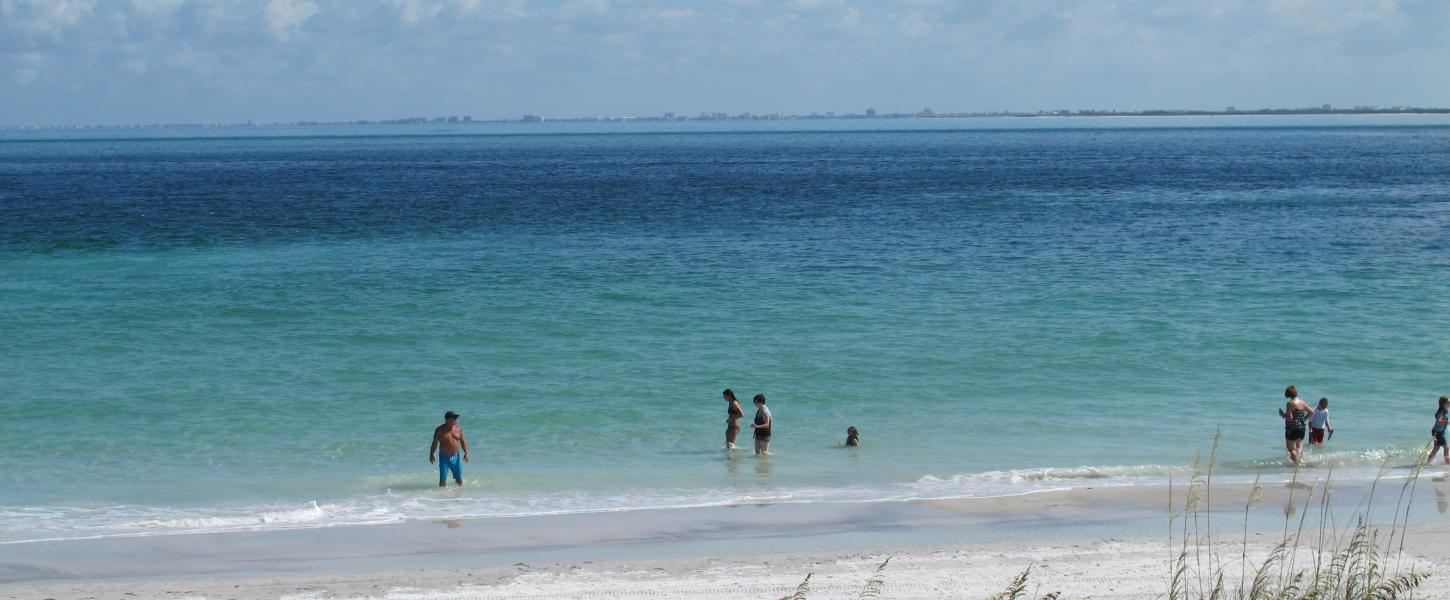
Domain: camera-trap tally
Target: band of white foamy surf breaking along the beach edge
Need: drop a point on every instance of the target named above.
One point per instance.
(20, 525)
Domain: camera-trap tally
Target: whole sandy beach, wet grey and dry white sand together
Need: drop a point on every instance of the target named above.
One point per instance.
(1104, 543)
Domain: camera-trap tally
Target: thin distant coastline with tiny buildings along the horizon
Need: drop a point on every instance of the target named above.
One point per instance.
(672, 118)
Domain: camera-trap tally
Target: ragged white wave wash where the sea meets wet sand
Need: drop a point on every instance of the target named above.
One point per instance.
(466, 505)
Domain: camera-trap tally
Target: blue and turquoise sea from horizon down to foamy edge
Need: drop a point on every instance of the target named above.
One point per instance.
(262, 330)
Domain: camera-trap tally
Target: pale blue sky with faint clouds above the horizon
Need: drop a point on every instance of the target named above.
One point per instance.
(228, 62)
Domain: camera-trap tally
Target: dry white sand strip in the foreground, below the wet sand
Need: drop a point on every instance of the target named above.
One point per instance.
(1103, 570)
